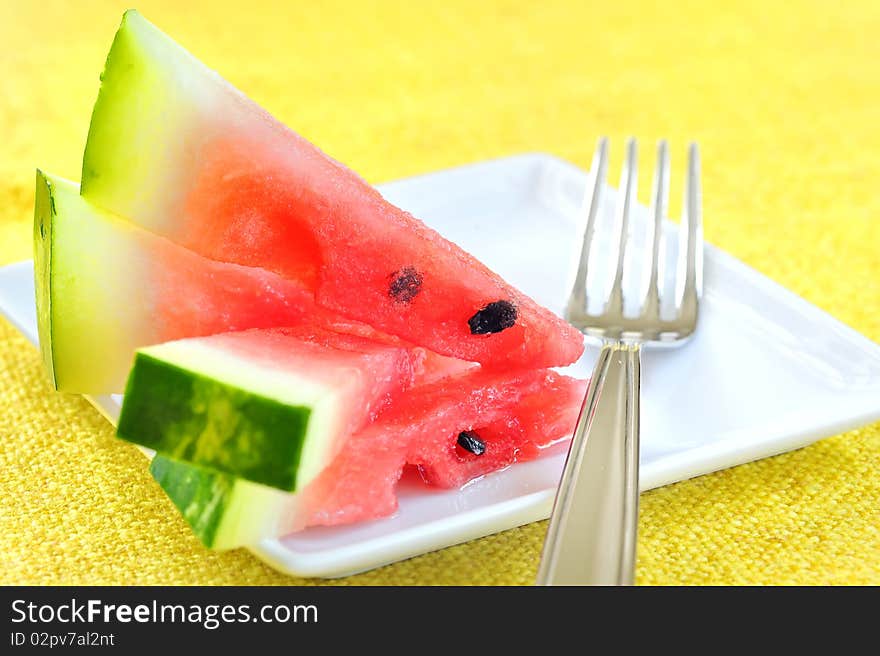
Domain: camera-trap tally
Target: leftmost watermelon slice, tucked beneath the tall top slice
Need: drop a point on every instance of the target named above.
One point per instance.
(106, 287)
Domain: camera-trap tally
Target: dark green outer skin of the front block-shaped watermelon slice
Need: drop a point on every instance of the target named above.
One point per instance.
(200, 420)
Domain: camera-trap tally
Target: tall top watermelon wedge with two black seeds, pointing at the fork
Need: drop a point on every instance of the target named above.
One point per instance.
(176, 149)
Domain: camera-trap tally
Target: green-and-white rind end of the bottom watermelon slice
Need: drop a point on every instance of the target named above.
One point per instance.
(224, 512)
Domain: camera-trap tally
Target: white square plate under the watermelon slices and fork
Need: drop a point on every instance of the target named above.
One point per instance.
(766, 372)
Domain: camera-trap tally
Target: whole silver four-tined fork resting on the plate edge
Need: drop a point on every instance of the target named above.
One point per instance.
(592, 534)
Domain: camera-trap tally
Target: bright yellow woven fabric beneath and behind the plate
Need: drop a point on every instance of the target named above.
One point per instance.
(783, 97)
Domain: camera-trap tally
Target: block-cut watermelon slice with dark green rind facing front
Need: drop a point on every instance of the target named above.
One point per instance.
(270, 406)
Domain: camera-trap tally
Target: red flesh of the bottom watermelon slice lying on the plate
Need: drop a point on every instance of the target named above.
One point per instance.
(510, 411)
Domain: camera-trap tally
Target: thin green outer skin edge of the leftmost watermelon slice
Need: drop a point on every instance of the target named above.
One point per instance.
(44, 216)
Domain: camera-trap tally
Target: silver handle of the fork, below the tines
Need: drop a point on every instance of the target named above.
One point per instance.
(591, 539)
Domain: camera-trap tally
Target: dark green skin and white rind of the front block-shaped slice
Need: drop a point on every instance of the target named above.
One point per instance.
(214, 414)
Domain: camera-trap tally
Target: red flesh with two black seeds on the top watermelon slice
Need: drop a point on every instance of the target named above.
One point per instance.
(366, 258)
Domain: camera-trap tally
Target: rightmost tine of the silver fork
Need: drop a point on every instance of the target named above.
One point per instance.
(689, 281)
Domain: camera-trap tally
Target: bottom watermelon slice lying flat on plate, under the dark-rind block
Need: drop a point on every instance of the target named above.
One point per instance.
(507, 411)
